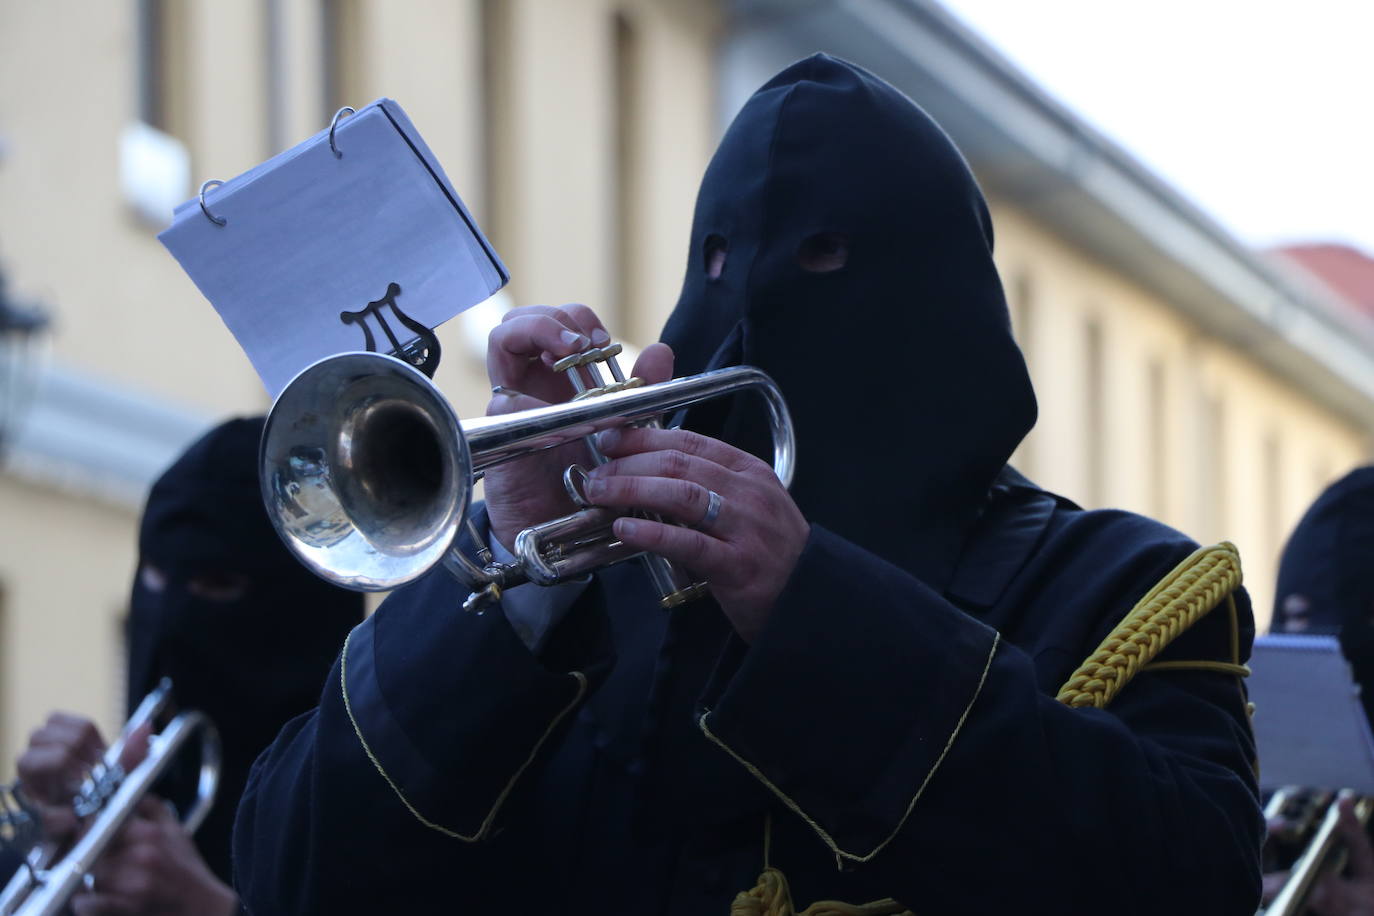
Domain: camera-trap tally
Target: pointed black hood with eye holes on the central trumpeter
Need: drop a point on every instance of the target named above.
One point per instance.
(905, 384)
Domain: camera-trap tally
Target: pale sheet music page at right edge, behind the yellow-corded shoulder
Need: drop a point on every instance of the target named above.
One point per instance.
(1309, 719)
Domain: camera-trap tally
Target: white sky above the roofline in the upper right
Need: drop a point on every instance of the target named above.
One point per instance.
(1262, 113)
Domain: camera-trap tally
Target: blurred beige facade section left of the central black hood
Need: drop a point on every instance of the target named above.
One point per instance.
(576, 131)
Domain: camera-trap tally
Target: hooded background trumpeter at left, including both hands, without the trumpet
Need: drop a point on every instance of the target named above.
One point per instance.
(245, 634)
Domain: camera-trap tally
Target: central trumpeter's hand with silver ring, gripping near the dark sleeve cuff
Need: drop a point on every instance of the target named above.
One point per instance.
(747, 554)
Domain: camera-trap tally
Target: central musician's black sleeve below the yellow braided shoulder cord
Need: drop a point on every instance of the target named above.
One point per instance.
(934, 760)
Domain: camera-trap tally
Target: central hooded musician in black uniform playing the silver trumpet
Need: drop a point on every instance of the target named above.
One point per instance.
(876, 722)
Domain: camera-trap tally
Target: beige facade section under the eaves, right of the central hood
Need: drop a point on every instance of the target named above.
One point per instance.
(1141, 410)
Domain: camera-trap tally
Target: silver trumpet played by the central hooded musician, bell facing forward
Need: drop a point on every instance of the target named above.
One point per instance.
(369, 474)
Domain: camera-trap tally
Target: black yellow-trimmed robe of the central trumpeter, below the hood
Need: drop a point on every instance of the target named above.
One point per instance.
(618, 803)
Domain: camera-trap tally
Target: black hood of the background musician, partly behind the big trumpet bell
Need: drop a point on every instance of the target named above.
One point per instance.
(223, 609)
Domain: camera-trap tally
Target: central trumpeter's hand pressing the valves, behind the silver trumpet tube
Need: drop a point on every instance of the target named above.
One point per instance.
(520, 356)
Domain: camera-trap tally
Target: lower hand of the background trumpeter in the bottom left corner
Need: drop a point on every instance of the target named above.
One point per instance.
(153, 869)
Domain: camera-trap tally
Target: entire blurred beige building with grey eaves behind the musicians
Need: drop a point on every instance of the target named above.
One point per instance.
(1177, 376)
